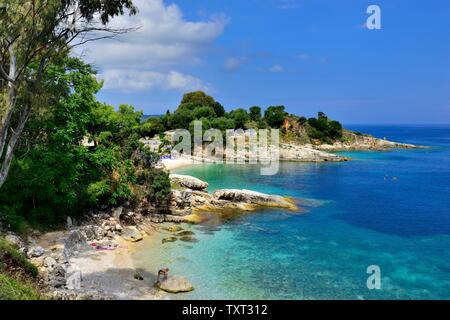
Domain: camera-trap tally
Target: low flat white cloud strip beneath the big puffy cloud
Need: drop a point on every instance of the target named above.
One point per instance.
(135, 80)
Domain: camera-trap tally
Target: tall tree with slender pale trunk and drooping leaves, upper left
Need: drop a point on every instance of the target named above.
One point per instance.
(33, 33)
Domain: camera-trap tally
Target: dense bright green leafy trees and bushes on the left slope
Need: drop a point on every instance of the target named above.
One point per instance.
(54, 174)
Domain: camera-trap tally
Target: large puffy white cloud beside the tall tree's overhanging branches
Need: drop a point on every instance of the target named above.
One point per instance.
(148, 58)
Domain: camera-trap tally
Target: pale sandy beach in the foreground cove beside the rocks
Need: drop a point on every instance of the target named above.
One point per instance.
(108, 274)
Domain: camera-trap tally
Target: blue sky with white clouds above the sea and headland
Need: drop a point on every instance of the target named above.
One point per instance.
(309, 55)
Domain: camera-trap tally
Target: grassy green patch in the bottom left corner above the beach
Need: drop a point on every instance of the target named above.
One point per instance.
(17, 275)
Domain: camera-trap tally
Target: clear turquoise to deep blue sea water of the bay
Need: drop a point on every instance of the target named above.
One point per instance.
(390, 209)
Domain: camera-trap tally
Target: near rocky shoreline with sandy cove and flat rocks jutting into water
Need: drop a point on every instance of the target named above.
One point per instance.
(91, 259)
